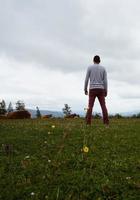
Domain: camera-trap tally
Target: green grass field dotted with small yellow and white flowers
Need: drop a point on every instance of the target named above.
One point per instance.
(63, 159)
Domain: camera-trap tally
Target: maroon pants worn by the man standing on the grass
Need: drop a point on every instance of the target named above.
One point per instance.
(100, 94)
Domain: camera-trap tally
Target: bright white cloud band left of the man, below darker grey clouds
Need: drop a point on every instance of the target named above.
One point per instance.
(42, 87)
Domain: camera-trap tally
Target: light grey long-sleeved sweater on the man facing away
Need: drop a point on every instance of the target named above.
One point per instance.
(97, 76)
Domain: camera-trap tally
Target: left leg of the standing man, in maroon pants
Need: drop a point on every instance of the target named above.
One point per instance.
(90, 106)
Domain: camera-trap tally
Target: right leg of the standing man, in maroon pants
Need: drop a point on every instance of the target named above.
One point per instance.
(101, 99)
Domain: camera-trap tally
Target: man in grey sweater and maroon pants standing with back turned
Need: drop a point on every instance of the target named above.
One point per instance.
(98, 88)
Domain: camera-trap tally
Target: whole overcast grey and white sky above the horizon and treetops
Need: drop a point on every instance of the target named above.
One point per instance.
(46, 47)
